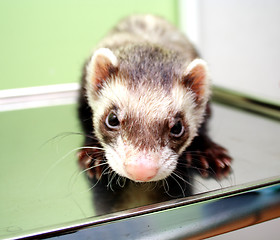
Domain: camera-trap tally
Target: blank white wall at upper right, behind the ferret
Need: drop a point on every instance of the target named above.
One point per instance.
(240, 40)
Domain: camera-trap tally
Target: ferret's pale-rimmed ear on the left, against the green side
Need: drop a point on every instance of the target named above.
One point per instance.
(102, 65)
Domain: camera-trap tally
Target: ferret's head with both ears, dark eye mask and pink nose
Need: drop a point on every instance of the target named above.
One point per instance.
(144, 124)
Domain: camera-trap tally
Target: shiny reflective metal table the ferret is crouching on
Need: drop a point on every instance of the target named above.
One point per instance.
(45, 194)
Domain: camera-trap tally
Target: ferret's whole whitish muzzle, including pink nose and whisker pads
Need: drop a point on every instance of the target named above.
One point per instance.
(141, 166)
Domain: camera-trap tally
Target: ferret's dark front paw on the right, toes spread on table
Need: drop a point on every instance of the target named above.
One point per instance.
(213, 160)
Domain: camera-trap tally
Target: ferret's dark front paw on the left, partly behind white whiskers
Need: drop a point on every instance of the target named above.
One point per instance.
(90, 163)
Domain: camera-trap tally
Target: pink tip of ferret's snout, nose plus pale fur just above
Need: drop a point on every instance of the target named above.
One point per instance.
(141, 168)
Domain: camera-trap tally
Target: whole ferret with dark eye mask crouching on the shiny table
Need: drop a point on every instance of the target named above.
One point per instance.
(143, 101)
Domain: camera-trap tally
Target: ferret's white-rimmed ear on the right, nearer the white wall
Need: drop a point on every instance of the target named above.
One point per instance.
(196, 78)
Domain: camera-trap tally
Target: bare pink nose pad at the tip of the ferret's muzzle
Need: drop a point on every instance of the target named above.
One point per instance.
(141, 172)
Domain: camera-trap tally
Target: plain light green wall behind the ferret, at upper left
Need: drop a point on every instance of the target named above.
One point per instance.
(46, 41)
